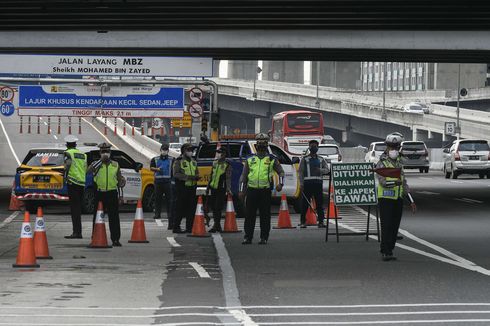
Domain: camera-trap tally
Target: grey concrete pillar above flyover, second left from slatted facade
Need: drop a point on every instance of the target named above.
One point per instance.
(283, 71)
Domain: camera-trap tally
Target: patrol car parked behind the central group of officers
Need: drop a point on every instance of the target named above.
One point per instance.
(238, 151)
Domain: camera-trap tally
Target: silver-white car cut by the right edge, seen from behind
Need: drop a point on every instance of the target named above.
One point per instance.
(468, 156)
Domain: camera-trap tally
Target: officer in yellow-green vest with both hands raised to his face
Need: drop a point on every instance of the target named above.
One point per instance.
(108, 178)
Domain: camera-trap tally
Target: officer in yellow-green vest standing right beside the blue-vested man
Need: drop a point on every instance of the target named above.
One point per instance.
(186, 175)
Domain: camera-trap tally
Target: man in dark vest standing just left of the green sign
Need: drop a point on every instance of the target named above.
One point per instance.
(311, 169)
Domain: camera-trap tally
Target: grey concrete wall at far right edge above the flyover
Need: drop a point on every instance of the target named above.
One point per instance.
(472, 75)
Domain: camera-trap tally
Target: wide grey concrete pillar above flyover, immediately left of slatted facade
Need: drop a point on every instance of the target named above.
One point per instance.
(337, 74)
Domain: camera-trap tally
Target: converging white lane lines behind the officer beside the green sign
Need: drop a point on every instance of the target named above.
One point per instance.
(470, 266)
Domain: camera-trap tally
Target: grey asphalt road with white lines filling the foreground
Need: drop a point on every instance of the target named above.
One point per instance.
(441, 275)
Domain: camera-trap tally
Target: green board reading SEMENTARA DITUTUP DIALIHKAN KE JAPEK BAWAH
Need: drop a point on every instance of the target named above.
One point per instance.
(353, 184)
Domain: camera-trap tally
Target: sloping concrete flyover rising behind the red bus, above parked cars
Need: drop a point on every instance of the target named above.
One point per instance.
(354, 113)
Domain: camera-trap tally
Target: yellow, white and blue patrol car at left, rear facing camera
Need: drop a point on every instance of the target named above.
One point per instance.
(41, 178)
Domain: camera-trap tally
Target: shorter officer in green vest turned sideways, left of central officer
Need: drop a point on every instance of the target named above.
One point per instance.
(220, 186)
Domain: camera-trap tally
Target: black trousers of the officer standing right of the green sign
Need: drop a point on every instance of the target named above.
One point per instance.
(390, 211)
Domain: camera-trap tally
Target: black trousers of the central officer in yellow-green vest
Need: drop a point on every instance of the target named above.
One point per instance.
(261, 199)
